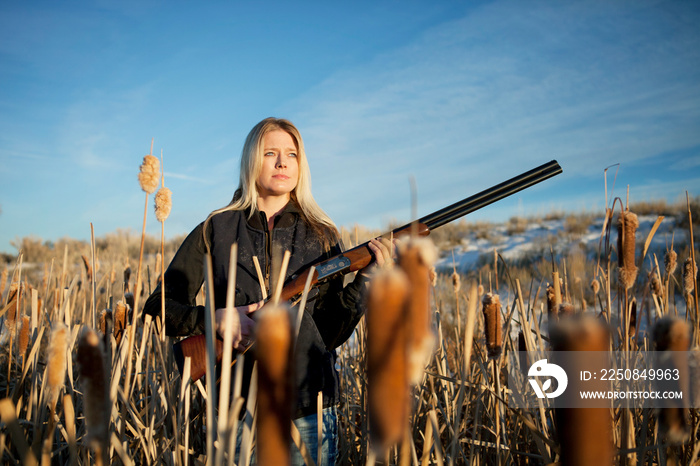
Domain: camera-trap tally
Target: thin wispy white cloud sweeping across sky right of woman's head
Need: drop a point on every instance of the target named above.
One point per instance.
(508, 87)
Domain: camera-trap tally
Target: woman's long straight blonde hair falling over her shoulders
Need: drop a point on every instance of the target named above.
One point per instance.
(246, 196)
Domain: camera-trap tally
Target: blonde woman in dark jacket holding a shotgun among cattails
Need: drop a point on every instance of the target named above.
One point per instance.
(272, 211)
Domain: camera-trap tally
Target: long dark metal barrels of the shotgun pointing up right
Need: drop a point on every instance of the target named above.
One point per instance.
(491, 195)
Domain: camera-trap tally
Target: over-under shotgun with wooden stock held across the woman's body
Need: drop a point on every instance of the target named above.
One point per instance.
(360, 256)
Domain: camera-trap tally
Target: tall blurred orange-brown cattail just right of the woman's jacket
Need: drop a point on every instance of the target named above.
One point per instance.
(387, 359)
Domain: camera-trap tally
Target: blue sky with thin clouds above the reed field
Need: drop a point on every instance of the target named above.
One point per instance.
(457, 95)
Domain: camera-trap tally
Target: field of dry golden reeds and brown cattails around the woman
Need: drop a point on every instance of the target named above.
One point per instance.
(85, 379)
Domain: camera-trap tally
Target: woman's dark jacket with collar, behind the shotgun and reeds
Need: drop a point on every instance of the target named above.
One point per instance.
(331, 314)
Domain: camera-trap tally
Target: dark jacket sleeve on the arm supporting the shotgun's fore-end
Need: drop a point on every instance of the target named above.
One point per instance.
(339, 308)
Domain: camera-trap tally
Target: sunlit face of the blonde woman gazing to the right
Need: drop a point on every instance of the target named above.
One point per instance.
(280, 168)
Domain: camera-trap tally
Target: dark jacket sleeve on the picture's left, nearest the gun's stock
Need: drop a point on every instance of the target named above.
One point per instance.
(183, 280)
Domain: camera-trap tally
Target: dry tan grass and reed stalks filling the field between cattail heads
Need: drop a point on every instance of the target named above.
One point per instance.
(456, 414)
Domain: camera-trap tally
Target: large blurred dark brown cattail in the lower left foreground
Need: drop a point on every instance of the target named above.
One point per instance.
(93, 379)
